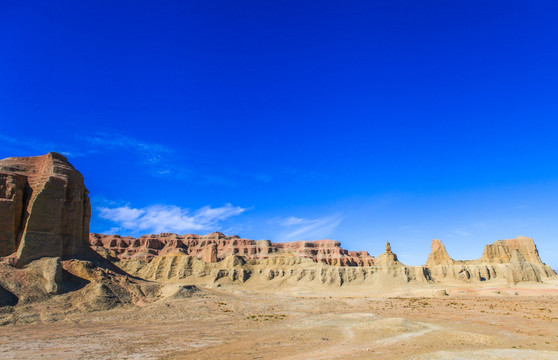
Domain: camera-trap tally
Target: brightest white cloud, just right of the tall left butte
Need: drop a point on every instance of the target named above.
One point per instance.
(168, 218)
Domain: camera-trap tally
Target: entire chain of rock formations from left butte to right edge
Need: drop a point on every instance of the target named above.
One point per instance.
(46, 249)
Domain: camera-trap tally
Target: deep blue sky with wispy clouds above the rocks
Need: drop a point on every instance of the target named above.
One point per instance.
(362, 121)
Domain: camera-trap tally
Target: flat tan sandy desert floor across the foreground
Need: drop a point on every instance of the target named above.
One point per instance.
(228, 323)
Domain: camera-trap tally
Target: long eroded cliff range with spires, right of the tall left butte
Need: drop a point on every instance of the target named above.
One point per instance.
(217, 258)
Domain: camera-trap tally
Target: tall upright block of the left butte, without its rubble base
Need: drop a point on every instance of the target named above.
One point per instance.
(44, 209)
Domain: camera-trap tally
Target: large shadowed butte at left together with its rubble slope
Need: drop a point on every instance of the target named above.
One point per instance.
(44, 240)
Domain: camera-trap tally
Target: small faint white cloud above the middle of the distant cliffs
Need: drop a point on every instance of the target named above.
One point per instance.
(308, 229)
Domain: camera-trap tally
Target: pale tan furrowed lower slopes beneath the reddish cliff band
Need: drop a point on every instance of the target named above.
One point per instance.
(273, 271)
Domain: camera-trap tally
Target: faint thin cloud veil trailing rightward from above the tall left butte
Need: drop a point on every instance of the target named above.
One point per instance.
(153, 158)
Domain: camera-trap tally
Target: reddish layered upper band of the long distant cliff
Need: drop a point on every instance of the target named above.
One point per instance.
(217, 246)
